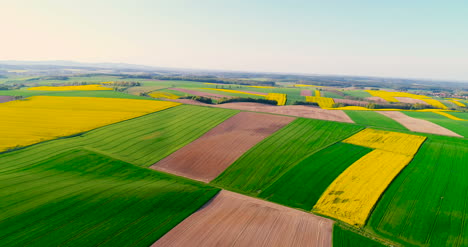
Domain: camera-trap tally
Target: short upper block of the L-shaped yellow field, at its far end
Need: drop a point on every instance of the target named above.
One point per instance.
(387, 140)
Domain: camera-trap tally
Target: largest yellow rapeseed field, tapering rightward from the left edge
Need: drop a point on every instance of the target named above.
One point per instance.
(42, 118)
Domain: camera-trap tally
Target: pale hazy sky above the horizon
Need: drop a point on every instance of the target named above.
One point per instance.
(400, 38)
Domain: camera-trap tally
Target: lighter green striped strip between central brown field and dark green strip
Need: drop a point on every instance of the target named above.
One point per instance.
(269, 159)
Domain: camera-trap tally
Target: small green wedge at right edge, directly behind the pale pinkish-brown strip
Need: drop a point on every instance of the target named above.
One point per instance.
(459, 127)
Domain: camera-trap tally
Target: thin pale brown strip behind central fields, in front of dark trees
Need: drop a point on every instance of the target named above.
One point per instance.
(292, 110)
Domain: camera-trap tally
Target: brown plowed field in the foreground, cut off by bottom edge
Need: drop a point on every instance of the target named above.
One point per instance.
(232, 219)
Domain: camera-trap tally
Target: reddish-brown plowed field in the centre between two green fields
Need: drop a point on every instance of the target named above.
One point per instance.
(208, 156)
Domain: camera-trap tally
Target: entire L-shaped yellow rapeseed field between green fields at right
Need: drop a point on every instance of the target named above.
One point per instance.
(353, 194)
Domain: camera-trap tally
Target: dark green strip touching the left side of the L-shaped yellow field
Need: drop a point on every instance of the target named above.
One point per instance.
(302, 185)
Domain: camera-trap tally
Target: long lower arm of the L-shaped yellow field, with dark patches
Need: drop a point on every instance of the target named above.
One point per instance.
(353, 194)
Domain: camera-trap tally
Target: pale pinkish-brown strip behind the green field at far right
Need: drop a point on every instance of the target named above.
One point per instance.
(418, 125)
